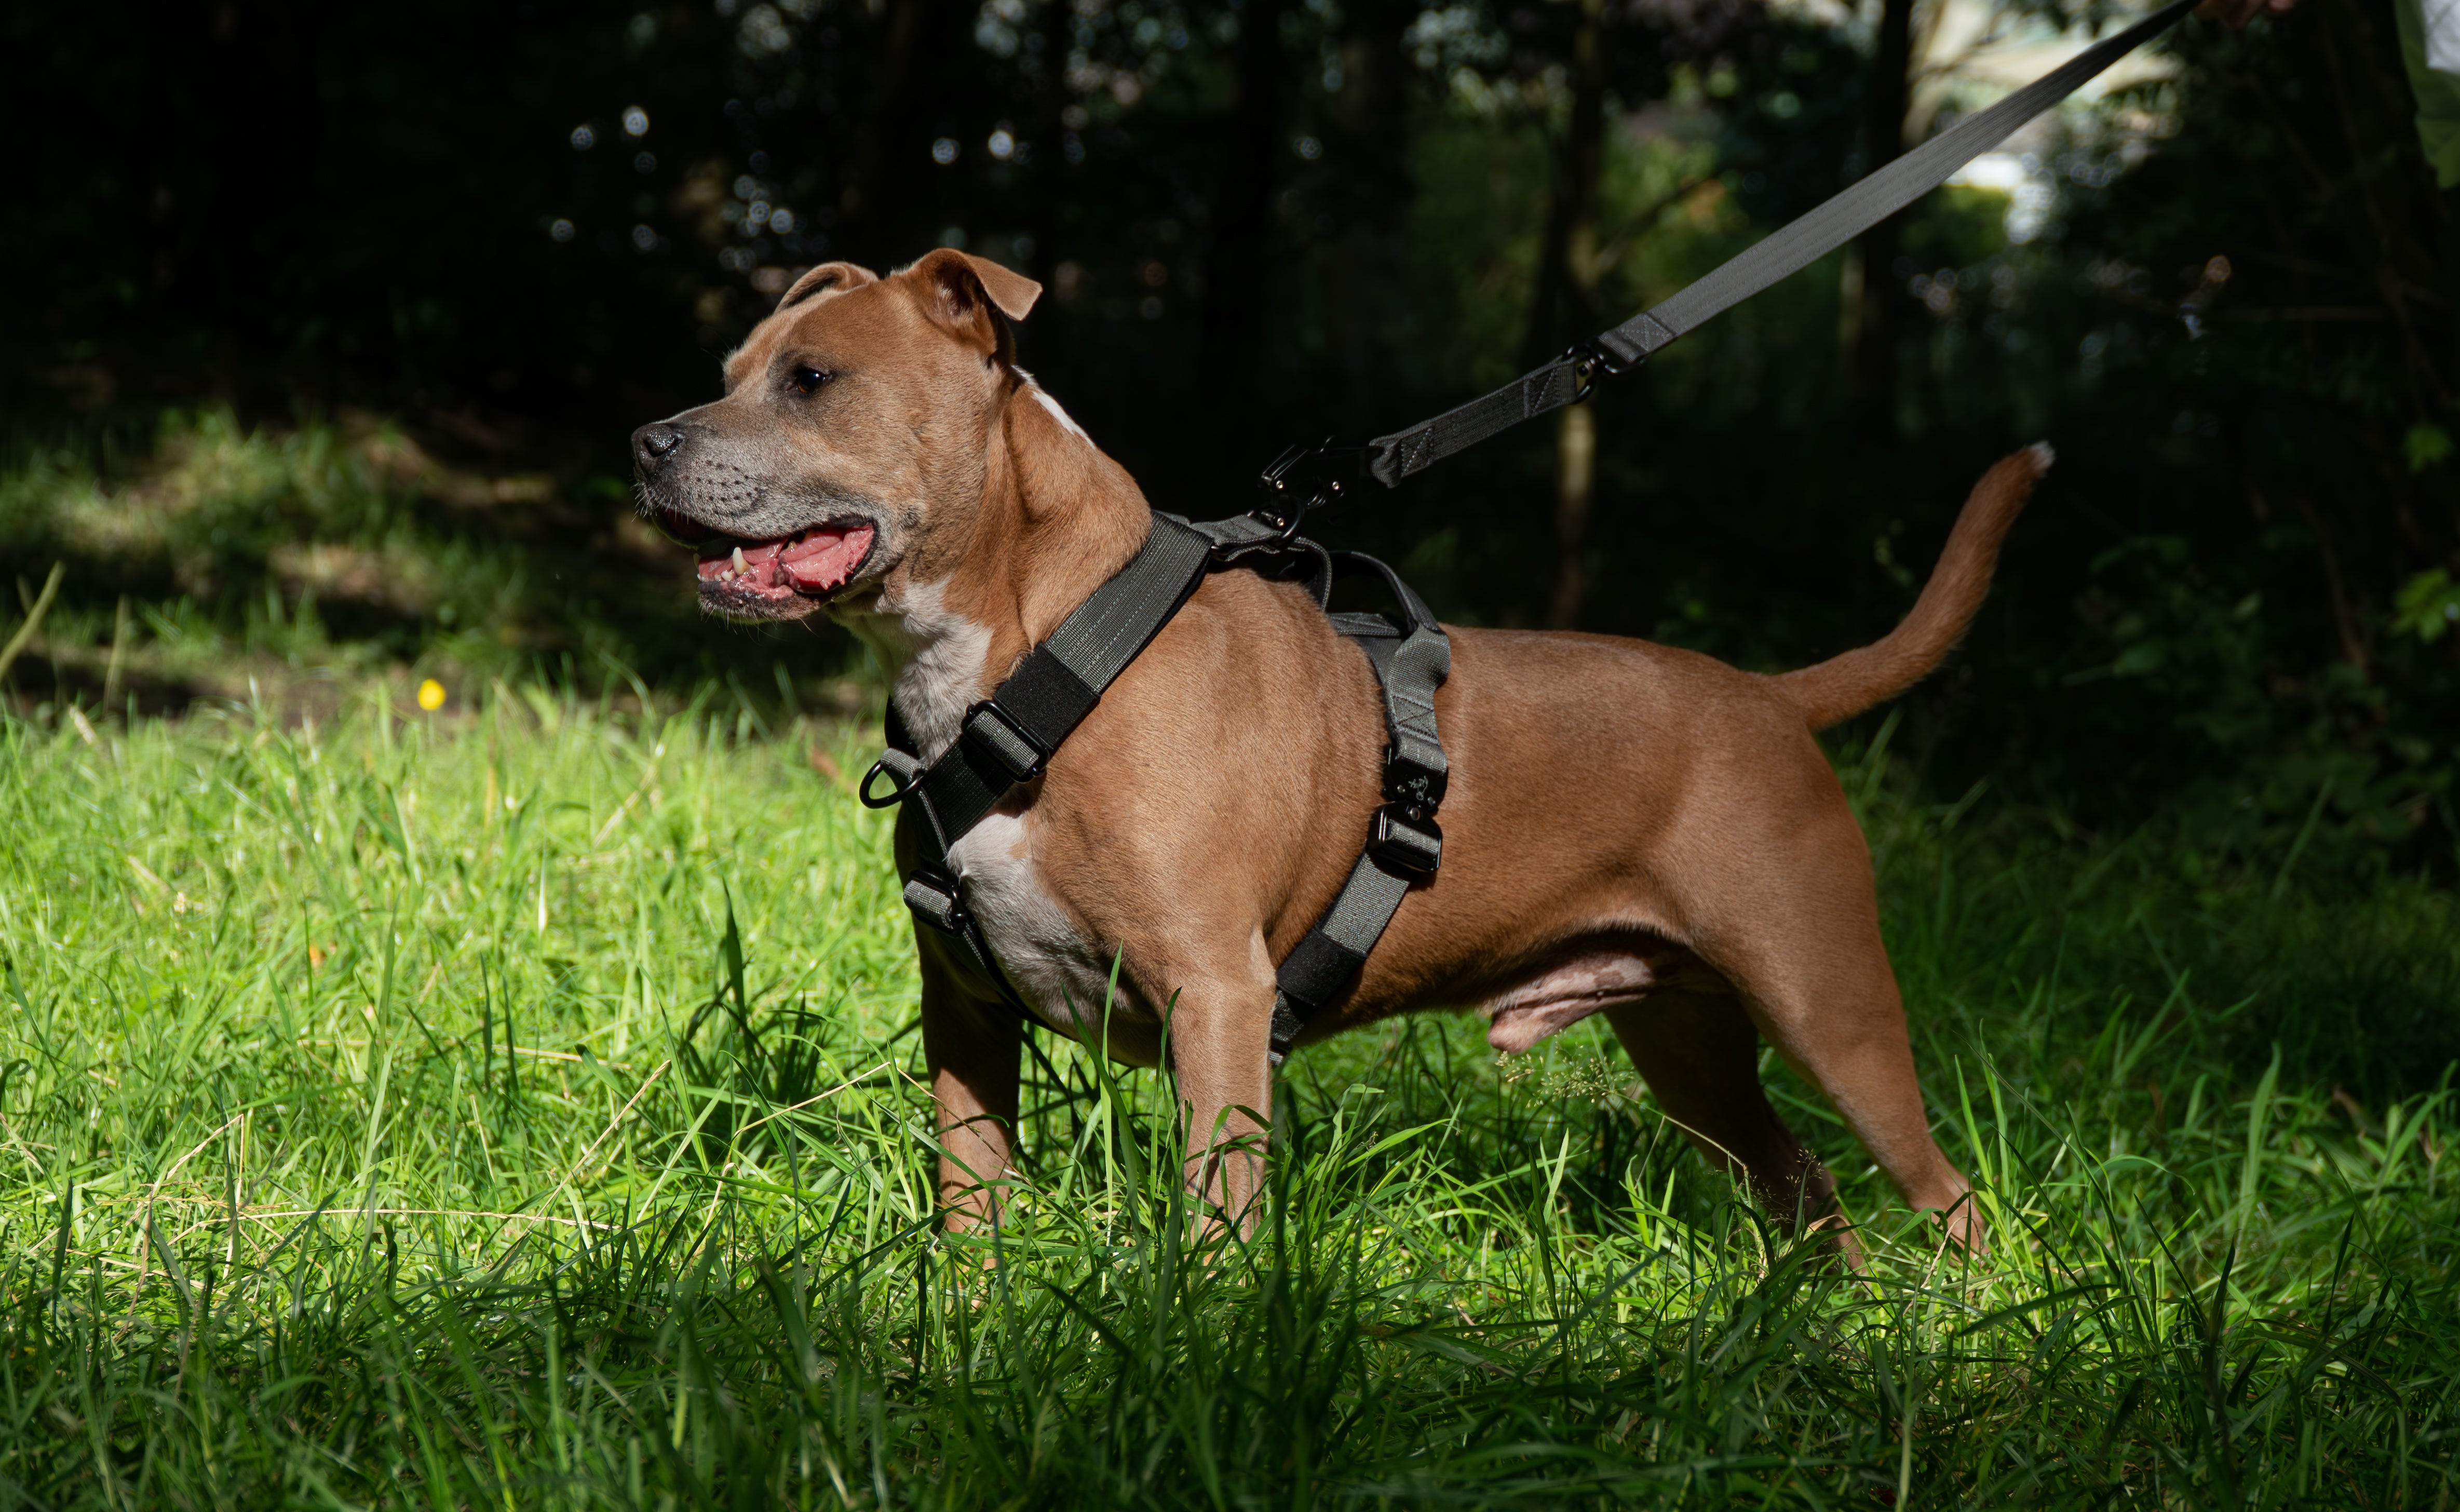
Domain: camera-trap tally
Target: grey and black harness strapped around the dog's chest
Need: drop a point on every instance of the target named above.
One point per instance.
(1012, 736)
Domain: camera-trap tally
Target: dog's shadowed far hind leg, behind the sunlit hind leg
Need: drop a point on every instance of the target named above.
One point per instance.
(1699, 1053)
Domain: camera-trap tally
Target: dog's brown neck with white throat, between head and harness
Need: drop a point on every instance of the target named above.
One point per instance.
(1057, 520)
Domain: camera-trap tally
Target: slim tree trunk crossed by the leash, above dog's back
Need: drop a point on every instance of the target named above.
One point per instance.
(1568, 311)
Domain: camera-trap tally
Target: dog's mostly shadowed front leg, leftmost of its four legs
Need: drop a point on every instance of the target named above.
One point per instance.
(970, 1051)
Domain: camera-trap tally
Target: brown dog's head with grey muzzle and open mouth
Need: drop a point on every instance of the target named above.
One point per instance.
(852, 446)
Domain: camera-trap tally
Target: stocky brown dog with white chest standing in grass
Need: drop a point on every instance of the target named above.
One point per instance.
(1632, 830)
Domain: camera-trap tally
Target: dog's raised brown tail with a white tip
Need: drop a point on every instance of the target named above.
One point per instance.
(1849, 685)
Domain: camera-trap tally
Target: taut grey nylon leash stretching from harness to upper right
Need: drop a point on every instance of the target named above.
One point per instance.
(1785, 252)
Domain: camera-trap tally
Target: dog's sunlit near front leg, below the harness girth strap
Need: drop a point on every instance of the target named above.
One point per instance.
(1219, 1044)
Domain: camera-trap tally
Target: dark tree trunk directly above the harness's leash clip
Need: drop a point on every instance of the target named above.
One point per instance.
(1239, 242)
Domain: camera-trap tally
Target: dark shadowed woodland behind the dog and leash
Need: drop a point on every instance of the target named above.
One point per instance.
(1276, 220)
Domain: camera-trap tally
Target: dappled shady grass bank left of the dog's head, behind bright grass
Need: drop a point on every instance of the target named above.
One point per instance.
(235, 564)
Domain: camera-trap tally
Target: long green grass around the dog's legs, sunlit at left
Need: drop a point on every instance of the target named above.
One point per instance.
(523, 1110)
